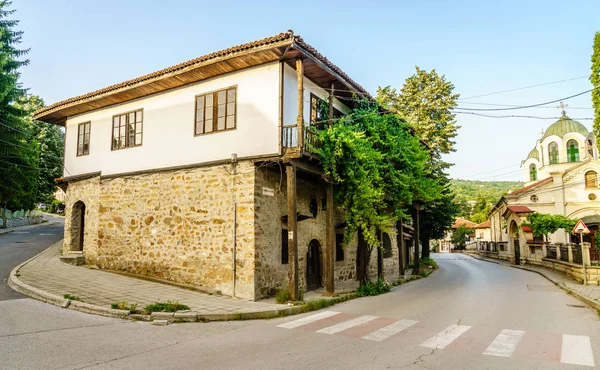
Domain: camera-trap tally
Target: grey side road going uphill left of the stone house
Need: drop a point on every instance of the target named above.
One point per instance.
(19, 246)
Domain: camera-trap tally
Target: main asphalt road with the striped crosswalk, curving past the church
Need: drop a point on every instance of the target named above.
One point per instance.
(469, 314)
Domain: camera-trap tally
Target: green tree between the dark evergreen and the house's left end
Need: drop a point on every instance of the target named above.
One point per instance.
(51, 148)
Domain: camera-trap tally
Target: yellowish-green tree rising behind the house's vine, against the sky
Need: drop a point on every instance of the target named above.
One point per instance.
(426, 101)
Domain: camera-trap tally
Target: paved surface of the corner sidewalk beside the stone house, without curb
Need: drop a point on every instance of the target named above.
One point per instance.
(46, 272)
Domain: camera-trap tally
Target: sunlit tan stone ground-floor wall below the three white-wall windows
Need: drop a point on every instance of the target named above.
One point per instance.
(175, 225)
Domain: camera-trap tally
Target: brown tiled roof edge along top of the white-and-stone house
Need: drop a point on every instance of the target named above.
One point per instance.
(294, 40)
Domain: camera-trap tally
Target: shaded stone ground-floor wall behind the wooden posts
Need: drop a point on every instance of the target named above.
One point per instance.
(271, 274)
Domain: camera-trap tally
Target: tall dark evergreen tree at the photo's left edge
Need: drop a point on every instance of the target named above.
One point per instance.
(18, 146)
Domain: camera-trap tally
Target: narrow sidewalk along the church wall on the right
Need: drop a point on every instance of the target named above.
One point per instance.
(587, 293)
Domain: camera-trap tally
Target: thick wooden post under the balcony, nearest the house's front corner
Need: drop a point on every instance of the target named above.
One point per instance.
(292, 233)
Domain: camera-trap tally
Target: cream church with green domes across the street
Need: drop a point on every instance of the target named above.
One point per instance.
(561, 175)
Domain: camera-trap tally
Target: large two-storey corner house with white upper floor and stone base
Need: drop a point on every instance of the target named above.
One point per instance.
(202, 173)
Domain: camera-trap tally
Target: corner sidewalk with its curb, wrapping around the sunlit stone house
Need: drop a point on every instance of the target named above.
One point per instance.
(45, 277)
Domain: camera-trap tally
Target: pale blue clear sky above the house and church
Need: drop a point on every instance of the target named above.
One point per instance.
(482, 47)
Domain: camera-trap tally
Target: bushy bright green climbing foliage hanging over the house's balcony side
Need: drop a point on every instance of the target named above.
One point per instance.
(380, 168)
